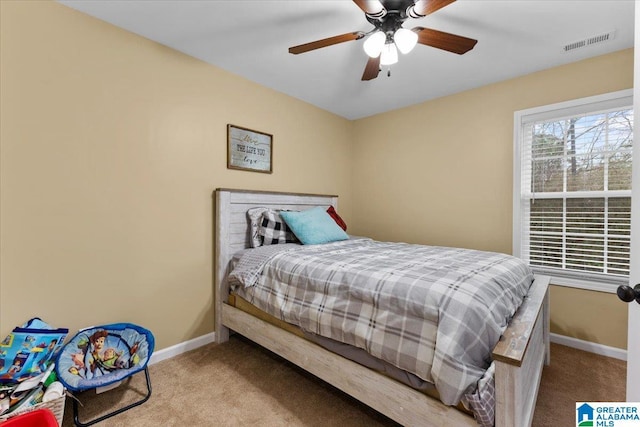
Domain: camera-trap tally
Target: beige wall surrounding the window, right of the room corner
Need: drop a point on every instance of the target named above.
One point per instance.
(441, 173)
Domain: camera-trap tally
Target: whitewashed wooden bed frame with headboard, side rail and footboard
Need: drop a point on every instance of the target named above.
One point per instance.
(519, 356)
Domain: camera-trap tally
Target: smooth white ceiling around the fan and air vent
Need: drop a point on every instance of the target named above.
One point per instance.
(251, 38)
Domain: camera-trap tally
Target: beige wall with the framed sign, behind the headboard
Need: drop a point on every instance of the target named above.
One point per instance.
(111, 148)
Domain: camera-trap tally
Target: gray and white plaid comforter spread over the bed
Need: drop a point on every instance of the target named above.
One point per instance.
(433, 311)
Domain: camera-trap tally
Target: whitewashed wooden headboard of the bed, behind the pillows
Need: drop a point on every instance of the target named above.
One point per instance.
(232, 231)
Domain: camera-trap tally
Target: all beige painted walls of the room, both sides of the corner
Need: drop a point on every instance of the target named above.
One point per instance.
(111, 147)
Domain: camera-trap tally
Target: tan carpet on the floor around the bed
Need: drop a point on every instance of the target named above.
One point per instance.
(240, 384)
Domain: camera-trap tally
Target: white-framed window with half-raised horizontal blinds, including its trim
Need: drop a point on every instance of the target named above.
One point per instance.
(572, 190)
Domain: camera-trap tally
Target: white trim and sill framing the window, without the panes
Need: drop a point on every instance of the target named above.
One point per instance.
(592, 104)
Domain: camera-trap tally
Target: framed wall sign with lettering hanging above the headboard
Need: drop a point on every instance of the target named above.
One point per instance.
(249, 149)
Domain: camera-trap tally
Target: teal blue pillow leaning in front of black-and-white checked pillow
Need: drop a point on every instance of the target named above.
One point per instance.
(314, 226)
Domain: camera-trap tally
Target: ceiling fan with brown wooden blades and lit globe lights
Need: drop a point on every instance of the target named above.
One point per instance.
(388, 35)
